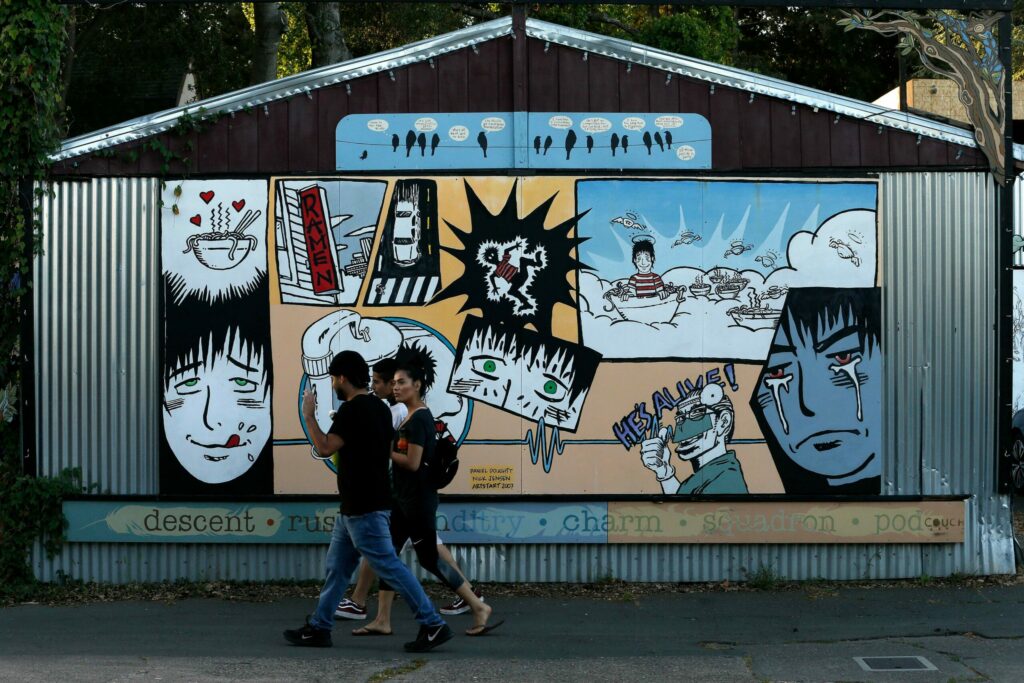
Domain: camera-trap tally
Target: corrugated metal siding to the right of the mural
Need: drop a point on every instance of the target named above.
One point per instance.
(938, 255)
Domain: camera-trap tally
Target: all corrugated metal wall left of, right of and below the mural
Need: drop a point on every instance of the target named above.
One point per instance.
(938, 278)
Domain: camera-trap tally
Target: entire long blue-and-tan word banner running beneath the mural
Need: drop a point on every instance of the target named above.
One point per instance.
(514, 523)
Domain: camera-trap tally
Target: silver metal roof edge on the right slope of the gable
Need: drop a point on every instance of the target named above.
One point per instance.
(619, 49)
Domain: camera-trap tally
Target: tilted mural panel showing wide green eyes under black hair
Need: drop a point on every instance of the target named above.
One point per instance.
(522, 373)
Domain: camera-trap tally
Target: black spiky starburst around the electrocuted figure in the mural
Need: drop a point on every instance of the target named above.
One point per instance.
(548, 284)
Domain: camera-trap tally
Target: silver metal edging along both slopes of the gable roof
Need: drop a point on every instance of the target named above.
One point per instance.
(424, 51)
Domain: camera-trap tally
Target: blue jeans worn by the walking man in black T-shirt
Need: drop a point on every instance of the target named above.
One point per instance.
(369, 536)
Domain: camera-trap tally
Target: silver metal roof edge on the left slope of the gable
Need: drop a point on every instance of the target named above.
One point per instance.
(265, 94)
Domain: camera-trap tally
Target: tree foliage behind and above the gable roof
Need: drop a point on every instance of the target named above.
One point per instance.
(158, 42)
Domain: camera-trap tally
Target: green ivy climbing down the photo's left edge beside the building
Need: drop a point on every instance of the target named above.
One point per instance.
(31, 44)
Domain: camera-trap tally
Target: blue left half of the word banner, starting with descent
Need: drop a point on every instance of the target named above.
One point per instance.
(313, 523)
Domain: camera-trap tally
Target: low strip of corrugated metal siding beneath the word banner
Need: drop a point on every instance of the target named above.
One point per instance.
(120, 564)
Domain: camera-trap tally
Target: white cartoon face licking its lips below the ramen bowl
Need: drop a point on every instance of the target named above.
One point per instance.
(218, 410)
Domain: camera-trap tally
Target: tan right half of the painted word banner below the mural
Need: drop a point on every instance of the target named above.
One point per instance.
(920, 522)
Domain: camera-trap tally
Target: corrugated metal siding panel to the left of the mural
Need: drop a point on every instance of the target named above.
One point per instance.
(97, 314)
